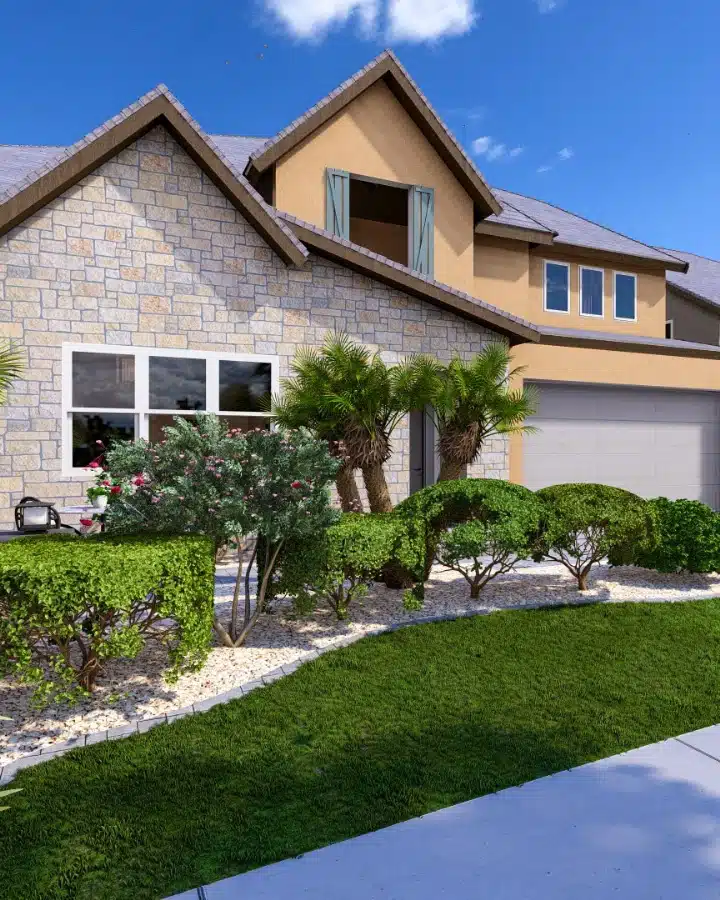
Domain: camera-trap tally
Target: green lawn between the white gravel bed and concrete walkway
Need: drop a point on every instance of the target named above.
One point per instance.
(389, 728)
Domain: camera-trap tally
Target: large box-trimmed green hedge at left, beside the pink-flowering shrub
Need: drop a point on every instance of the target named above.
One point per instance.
(68, 605)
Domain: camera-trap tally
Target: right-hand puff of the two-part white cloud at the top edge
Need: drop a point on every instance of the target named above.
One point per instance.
(429, 20)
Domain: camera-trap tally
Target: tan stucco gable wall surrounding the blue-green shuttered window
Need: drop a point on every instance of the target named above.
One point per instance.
(375, 137)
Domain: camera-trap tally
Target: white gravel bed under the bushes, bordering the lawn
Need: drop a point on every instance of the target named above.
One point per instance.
(135, 689)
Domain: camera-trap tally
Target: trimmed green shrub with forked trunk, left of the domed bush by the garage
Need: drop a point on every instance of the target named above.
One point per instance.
(504, 526)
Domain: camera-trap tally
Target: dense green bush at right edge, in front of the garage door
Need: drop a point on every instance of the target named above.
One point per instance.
(688, 538)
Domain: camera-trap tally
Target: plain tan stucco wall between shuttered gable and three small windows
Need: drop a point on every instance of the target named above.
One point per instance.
(502, 274)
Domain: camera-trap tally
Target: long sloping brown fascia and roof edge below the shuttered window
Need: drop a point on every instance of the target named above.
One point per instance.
(394, 275)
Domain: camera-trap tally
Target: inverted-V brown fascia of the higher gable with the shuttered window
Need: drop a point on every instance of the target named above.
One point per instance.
(387, 68)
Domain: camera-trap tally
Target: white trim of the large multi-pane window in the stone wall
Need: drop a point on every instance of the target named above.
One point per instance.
(141, 409)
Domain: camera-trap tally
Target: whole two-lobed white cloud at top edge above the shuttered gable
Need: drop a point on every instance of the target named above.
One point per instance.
(407, 20)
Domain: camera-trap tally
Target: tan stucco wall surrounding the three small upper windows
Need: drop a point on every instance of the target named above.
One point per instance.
(650, 297)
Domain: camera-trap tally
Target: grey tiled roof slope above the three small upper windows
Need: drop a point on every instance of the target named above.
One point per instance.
(572, 231)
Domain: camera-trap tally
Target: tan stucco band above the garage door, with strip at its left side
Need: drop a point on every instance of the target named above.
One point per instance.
(618, 367)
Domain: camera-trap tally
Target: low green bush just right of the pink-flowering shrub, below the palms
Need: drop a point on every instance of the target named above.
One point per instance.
(339, 565)
